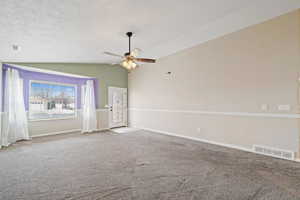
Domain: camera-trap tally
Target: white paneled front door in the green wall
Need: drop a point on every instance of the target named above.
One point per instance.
(117, 100)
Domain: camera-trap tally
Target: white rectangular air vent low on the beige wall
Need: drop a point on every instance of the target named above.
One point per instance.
(274, 152)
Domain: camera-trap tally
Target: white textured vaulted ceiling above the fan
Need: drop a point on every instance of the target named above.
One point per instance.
(81, 30)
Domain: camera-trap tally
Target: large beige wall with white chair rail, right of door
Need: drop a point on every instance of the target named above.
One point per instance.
(232, 75)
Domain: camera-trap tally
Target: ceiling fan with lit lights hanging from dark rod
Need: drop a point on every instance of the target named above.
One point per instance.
(130, 60)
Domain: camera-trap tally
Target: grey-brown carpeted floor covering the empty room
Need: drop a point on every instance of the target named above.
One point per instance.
(140, 165)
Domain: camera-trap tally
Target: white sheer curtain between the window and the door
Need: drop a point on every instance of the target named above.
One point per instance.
(89, 118)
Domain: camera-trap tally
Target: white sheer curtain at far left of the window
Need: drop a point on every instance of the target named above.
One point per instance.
(14, 119)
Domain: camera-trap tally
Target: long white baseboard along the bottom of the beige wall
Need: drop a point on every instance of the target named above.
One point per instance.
(207, 141)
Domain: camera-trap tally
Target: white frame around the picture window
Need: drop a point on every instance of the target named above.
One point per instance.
(53, 83)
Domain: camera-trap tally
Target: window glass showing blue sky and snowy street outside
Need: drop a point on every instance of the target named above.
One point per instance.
(51, 100)
